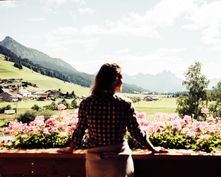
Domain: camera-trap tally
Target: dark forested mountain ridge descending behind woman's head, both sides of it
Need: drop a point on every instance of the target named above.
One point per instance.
(54, 67)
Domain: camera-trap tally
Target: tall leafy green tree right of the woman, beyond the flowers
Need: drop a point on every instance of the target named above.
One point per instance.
(196, 84)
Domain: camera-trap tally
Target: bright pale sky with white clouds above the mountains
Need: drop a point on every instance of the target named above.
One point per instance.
(143, 36)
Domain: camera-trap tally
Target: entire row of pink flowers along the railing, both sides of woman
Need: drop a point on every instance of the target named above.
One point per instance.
(167, 130)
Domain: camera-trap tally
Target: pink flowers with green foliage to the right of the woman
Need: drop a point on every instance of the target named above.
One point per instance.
(173, 132)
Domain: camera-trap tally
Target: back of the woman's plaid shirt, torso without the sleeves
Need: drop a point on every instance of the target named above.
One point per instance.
(107, 117)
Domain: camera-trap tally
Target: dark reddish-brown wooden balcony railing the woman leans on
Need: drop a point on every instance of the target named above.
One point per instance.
(49, 163)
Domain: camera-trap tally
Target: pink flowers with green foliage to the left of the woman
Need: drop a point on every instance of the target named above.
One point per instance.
(41, 133)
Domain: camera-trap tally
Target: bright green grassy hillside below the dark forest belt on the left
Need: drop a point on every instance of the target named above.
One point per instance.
(8, 71)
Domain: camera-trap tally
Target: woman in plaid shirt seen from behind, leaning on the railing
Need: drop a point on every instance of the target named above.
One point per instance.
(108, 117)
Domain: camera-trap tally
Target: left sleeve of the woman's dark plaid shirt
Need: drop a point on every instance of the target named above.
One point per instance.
(81, 125)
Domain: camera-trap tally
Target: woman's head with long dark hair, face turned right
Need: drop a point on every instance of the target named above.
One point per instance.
(108, 77)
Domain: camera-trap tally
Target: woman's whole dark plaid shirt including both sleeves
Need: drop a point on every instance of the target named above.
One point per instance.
(107, 117)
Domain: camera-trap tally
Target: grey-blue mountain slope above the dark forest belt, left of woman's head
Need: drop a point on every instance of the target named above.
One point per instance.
(48, 62)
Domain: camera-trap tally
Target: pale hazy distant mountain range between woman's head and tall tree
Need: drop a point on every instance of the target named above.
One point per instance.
(164, 81)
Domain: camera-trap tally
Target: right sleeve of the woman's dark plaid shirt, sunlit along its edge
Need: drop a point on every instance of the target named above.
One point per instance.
(135, 130)
